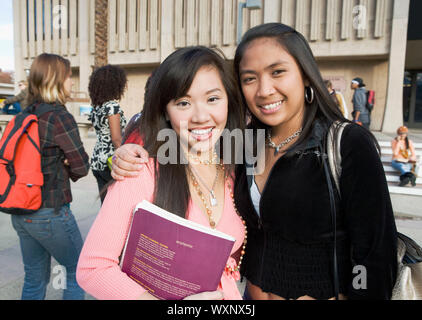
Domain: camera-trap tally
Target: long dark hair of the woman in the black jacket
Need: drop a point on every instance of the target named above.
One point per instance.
(322, 107)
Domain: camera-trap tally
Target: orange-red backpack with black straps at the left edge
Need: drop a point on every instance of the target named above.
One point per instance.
(21, 177)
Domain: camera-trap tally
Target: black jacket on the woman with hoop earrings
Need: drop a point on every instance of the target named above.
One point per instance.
(290, 246)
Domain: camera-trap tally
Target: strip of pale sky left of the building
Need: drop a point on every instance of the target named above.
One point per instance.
(6, 36)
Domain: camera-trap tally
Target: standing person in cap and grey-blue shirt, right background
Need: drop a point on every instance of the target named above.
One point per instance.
(360, 113)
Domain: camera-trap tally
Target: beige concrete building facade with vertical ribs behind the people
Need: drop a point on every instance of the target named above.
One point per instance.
(349, 38)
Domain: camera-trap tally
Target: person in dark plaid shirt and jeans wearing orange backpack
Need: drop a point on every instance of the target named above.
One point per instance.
(52, 231)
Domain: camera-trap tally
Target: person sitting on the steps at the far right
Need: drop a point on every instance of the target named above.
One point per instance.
(404, 157)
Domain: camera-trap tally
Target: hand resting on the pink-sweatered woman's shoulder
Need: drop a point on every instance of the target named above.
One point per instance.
(128, 160)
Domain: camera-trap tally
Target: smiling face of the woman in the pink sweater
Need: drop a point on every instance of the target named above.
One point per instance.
(200, 116)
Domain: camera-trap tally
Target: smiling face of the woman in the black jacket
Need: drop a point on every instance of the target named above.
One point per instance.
(272, 84)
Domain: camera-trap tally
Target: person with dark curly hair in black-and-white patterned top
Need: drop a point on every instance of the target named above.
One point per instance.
(107, 86)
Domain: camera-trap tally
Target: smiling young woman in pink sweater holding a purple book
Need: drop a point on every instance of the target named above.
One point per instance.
(194, 96)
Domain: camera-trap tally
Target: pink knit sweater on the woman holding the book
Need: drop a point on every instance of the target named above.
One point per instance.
(98, 271)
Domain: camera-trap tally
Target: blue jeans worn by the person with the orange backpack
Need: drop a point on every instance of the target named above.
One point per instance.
(44, 234)
